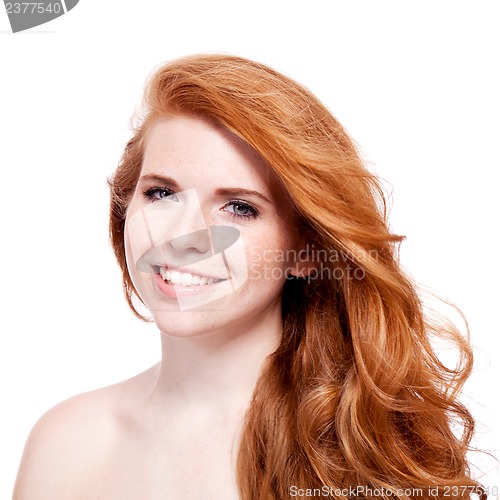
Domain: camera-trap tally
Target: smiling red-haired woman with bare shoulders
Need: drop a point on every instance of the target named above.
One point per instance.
(296, 358)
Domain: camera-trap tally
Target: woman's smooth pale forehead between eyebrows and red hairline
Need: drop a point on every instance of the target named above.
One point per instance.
(198, 154)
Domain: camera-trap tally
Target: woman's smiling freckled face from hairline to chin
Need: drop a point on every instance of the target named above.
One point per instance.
(208, 235)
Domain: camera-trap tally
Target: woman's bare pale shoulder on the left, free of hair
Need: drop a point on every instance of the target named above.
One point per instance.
(69, 446)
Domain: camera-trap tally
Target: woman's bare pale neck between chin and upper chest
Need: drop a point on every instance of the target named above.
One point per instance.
(217, 371)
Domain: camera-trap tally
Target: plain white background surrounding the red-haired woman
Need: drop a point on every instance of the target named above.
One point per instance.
(415, 83)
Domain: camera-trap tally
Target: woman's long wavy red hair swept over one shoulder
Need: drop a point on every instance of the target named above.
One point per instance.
(355, 396)
